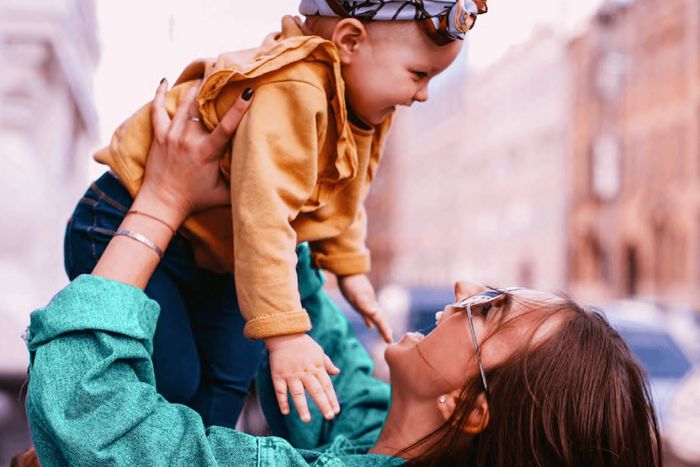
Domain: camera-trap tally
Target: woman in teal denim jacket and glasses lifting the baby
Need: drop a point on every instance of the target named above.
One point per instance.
(508, 377)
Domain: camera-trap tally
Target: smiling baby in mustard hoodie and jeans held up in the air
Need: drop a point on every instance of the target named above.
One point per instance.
(299, 168)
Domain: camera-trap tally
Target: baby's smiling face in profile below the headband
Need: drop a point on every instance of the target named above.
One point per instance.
(393, 68)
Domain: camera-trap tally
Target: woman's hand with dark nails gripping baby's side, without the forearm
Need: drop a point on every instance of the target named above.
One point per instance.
(182, 171)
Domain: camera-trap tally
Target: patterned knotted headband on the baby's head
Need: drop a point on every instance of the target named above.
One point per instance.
(443, 20)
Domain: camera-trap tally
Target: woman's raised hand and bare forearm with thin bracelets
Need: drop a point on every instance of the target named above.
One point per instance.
(181, 177)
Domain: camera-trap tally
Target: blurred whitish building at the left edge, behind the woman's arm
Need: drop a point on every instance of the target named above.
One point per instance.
(48, 52)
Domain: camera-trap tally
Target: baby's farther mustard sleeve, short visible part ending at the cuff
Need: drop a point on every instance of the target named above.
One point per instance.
(345, 254)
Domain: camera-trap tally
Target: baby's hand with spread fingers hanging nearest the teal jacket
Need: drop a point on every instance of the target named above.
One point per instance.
(297, 362)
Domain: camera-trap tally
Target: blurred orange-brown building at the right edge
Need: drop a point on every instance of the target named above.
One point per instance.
(635, 223)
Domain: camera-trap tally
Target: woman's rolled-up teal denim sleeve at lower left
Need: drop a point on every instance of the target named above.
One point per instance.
(91, 397)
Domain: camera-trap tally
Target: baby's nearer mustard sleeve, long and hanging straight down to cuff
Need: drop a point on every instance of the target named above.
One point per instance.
(274, 170)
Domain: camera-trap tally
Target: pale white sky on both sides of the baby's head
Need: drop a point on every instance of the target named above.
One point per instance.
(143, 41)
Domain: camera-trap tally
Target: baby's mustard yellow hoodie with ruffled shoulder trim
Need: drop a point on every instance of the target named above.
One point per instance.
(298, 171)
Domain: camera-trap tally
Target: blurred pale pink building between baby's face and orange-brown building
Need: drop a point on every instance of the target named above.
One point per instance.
(473, 184)
